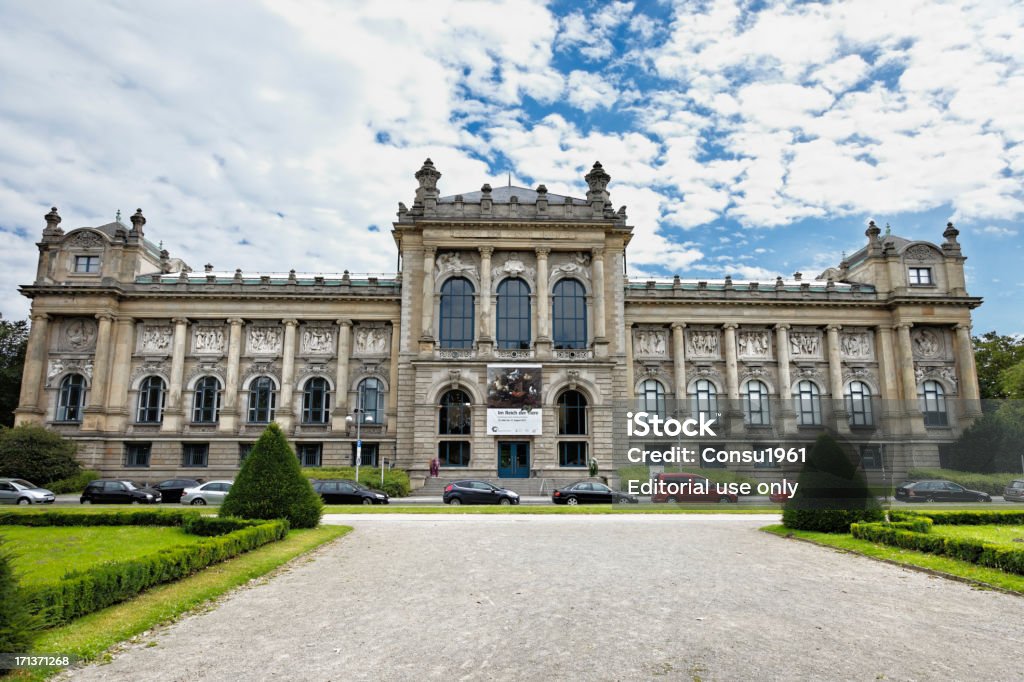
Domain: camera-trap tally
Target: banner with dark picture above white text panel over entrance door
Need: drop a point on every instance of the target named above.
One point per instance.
(515, 400)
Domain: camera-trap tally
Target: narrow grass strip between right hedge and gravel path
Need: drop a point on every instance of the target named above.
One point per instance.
(954, 569)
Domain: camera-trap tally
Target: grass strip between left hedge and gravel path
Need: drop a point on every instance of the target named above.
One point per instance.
(90, 637)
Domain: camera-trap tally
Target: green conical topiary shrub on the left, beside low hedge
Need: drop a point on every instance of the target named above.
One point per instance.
(271, 485)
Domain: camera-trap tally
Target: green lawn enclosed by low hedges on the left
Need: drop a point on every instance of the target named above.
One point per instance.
(45, 555)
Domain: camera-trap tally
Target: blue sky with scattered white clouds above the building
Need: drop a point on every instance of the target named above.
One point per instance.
(746, 139)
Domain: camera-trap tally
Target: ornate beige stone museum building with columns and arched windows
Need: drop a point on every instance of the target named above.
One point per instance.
(509, 345)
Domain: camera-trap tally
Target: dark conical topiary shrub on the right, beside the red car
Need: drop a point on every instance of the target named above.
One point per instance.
(832, 493)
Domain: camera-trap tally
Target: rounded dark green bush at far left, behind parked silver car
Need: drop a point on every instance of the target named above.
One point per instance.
(36, 454)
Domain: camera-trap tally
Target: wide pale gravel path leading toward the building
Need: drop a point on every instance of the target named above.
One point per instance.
(586, 599)
